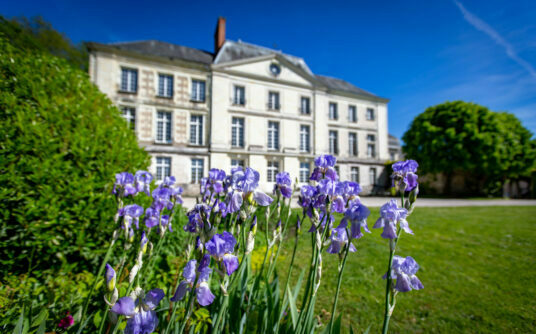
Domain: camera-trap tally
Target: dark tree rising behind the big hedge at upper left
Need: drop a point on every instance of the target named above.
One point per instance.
(38, 35)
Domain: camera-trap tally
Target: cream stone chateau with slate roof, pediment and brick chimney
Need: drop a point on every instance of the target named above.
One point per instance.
(243, 105)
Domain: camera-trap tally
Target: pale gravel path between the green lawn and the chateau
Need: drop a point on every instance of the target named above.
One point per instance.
(189, 202)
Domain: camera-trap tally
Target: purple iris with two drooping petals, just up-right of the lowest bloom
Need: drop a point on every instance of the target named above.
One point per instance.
(203, 293)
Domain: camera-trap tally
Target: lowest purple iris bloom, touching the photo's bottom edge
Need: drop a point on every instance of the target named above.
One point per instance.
(140, 312)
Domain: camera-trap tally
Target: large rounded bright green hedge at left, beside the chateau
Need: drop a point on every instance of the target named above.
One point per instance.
(61, 142)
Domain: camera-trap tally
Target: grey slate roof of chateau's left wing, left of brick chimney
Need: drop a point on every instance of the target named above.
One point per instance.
(165, 50)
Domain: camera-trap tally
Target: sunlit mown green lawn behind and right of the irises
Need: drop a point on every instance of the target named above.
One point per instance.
(478, 266)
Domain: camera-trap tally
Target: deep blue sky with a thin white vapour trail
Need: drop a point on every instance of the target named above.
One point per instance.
(417, 53)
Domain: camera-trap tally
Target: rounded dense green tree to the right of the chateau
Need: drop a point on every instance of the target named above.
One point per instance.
(488, 147)
